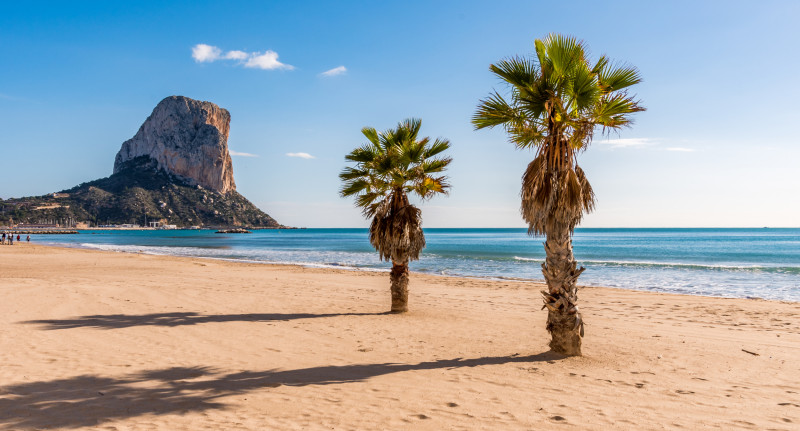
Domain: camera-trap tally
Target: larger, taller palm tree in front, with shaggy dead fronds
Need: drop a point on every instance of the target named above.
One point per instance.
(557, 101)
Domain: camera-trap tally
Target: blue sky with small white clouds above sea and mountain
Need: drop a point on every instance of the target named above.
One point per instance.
(716, 147)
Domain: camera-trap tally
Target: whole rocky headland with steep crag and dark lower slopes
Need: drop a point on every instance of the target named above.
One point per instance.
(176, 170)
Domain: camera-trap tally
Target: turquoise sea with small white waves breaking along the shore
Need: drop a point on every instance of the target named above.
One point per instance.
(743, 263)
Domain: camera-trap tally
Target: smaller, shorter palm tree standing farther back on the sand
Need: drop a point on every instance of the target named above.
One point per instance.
(390, 166)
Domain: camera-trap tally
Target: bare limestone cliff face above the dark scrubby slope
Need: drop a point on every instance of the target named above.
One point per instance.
(188, 138)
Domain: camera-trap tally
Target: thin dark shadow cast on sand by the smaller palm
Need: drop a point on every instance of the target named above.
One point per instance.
(117, 321)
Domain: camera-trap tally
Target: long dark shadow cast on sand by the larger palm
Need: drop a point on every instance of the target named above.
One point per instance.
(91, 400)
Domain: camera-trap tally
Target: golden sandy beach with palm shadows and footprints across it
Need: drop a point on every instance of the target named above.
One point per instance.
(112, 341)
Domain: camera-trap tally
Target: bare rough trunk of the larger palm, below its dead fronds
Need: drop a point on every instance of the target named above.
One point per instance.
(561, 273)
